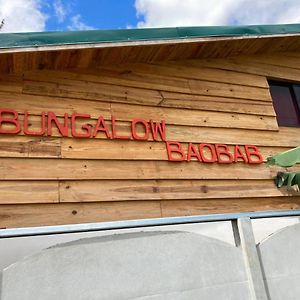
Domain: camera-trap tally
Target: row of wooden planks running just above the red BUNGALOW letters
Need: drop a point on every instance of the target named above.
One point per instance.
(123, 112)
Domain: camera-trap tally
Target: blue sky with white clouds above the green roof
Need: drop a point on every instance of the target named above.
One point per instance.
(64, 15)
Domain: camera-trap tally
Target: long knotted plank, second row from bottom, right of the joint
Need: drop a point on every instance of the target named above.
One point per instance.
(122, 190)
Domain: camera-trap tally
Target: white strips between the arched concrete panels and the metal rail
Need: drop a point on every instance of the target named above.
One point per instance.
(14, 249)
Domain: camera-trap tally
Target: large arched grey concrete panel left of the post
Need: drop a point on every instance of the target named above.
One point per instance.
(146, 265)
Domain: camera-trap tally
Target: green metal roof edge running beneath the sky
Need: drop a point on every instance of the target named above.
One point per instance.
(38, 39)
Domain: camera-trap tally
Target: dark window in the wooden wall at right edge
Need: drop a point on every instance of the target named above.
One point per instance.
(286, 101)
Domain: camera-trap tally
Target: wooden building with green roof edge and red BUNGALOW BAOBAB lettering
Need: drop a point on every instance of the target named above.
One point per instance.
(118, 125)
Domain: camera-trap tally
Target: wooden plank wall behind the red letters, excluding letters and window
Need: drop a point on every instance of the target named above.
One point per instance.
(48, 181)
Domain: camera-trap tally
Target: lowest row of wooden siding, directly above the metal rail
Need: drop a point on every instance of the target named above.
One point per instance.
(72, 213)
